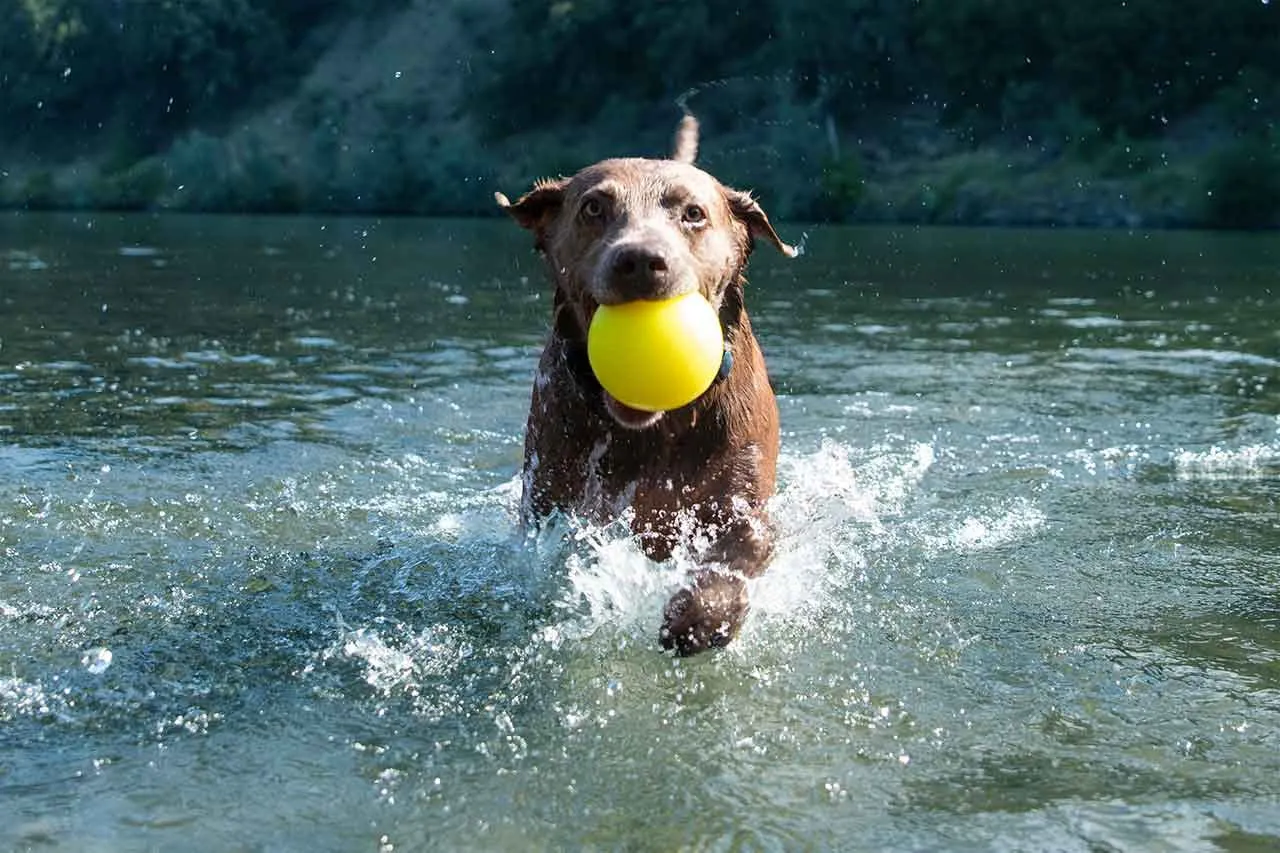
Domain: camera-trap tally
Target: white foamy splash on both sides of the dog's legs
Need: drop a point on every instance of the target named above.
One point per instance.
(583, 587)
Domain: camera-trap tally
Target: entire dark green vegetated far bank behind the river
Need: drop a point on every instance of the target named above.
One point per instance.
(940, 111)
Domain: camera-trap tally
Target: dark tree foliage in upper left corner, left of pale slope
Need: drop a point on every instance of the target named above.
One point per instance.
(72, 71)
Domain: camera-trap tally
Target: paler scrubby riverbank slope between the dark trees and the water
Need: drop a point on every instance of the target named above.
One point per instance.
(387, 121)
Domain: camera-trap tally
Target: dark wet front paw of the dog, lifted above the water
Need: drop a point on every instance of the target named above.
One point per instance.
(707, 615)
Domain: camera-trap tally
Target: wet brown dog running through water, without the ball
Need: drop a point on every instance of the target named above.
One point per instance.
(700, 476)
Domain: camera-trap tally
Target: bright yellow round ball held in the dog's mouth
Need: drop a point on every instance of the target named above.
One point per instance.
(656, 355)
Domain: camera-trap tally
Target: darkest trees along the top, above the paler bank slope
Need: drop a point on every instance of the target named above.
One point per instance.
(132, 76)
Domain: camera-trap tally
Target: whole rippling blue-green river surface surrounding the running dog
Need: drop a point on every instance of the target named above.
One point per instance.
(260, 586)
